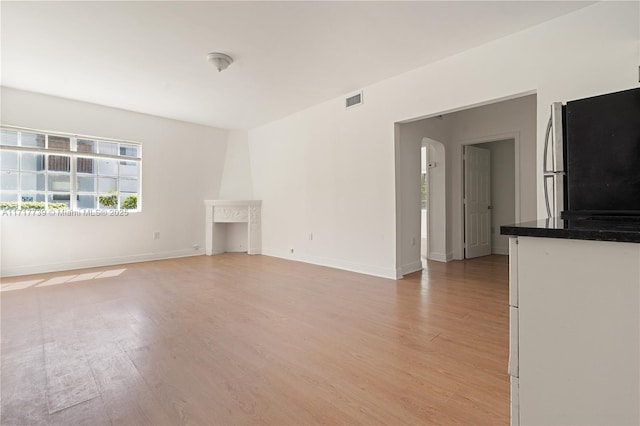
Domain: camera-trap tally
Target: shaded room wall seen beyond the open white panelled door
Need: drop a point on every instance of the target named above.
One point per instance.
(503, 187)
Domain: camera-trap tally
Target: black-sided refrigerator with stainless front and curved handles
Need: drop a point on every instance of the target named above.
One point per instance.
(592, 157)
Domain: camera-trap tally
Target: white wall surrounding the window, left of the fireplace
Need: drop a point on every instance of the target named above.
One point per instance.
(182, 166)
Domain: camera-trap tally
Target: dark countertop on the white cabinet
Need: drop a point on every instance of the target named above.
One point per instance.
(598, 230)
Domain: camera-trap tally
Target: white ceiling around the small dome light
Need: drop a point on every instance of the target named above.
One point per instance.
(150, 57)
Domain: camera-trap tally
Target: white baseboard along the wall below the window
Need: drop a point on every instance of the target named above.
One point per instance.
(97, 262)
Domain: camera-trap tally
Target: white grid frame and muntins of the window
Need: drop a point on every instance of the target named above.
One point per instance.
(73, 155)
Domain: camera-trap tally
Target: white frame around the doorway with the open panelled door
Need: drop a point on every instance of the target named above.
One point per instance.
(515, 136)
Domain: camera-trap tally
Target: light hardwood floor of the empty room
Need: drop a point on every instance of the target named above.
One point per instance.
(237, 339)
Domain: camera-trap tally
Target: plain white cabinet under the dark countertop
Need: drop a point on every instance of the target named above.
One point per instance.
(575, 332)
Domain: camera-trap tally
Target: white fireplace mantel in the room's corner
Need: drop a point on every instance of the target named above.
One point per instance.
(221, 212)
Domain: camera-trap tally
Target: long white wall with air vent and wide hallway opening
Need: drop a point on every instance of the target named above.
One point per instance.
(331, 171)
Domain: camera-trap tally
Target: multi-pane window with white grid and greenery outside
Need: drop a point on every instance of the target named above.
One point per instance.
(41, 170)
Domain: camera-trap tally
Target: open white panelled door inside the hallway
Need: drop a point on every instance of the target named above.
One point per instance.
(477, 202)
